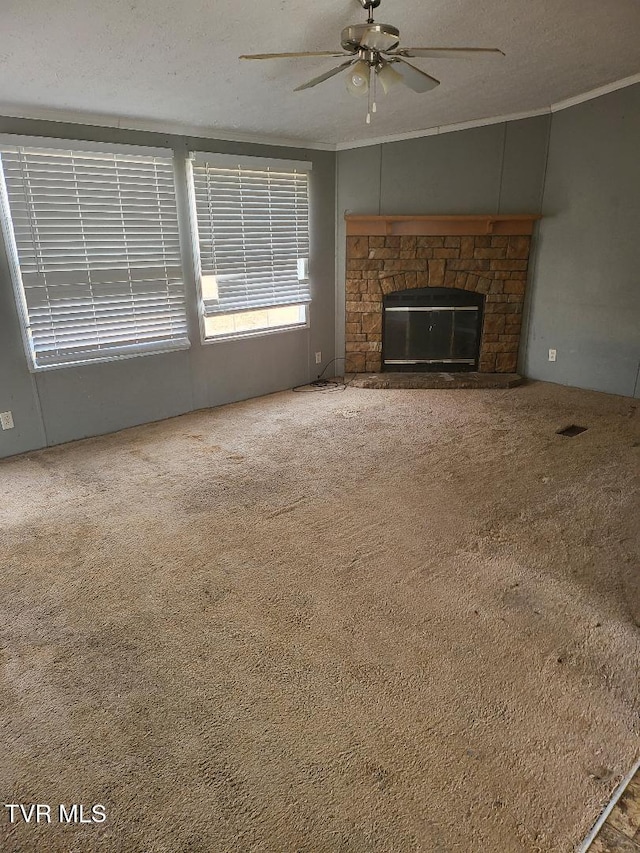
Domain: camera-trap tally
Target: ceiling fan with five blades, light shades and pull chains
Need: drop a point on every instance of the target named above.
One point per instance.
(374, 55)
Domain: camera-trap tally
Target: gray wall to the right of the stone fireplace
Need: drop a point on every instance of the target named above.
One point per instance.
(585, 289)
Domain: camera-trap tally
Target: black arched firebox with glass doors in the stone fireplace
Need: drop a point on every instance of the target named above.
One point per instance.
(431, 329)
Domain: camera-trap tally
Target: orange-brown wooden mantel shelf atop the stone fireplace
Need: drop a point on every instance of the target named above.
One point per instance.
(446, 225)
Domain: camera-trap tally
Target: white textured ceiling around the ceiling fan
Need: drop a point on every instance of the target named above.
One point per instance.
(176, 64)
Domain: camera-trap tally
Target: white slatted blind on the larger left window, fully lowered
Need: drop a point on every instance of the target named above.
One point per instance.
(98, 254)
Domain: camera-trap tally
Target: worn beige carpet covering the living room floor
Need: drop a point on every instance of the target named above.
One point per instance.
(335, 622)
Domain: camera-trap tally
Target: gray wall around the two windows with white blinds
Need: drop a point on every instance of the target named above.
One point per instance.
(59, 405)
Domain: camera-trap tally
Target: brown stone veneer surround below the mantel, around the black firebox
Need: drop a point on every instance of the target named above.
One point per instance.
(492, 264)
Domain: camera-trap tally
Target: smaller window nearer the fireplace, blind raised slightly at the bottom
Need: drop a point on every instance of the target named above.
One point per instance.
(253, 243)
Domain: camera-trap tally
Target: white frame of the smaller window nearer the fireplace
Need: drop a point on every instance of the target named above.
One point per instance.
(252, 163)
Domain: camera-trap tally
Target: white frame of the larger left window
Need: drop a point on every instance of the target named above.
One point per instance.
(13, 258)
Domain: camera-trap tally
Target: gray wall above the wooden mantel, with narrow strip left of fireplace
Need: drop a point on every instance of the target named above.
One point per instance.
(493, 169)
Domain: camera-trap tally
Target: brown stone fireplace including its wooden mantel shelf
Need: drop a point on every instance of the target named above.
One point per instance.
(483, 255)
